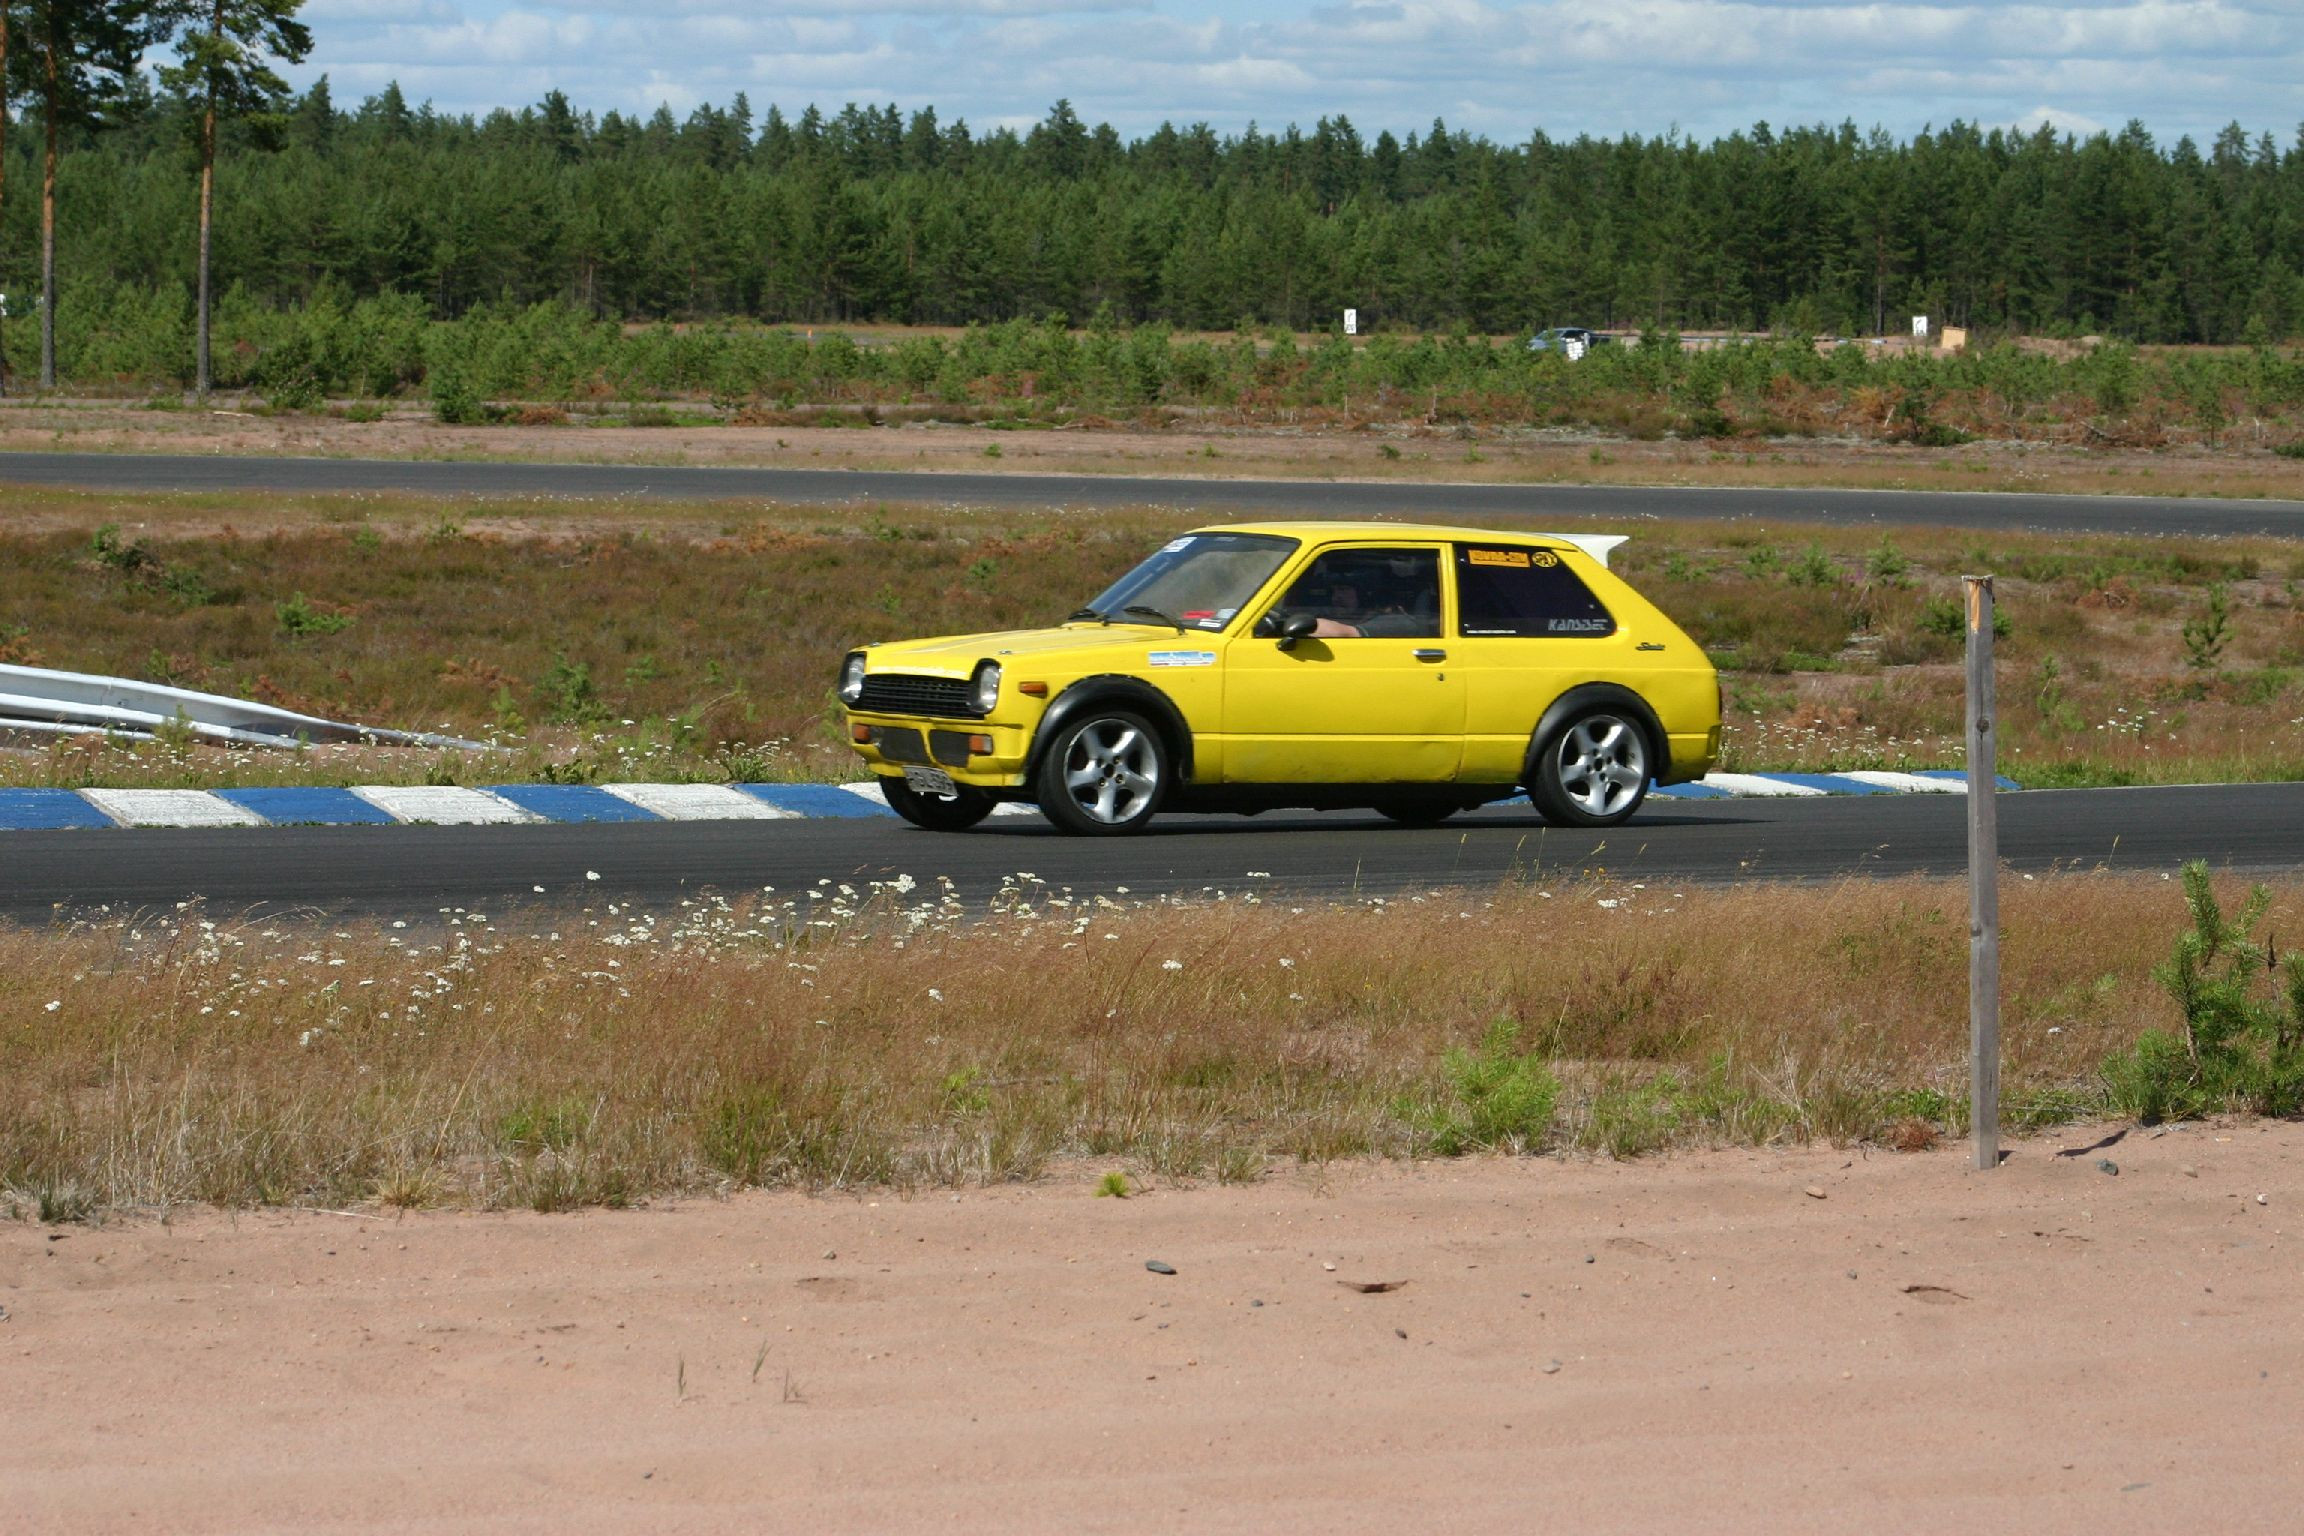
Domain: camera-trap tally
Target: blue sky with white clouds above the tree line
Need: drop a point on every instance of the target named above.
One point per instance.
(1496, 68)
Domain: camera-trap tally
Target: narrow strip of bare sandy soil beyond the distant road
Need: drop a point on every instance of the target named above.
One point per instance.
(1211, 448)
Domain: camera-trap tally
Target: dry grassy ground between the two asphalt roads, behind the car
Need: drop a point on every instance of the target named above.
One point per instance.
(697, 641)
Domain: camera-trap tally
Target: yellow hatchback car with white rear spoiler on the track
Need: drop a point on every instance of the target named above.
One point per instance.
(1414, 671)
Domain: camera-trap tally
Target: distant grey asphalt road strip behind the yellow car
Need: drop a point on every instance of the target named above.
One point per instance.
(1266, 499)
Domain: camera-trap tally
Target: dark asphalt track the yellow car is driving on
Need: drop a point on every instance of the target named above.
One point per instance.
(414, 872)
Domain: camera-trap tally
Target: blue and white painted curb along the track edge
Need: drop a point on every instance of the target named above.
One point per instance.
(513, 805)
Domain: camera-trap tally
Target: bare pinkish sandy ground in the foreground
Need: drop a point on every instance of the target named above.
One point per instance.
(1741, 1341)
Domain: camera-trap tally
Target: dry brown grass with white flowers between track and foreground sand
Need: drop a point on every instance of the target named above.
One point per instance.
(874, 1037)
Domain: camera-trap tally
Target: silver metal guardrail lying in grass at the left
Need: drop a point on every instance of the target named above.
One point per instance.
(40, 701)
